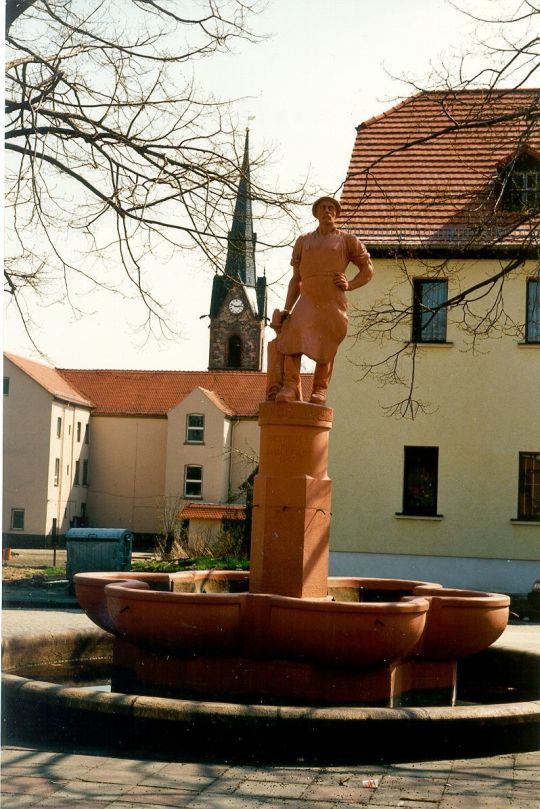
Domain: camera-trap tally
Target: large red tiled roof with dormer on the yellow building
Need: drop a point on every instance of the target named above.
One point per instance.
(425, 173)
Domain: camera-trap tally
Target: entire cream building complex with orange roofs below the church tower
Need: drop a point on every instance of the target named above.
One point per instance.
(132, 445)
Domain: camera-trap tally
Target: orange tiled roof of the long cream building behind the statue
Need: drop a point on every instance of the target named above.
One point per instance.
(154, 393)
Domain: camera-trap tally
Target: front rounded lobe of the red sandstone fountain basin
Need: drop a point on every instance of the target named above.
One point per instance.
(322, 632)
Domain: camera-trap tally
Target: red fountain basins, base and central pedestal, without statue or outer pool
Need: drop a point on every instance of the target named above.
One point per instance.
(286, 631)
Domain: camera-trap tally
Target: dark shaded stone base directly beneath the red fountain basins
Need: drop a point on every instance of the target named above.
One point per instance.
(237, 678)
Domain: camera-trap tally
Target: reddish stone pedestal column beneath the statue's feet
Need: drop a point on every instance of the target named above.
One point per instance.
(291, 501)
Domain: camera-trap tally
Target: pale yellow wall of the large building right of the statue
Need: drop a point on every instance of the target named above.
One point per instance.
(483, 409)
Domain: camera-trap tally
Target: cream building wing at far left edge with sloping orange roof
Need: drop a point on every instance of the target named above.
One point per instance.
(45, 454)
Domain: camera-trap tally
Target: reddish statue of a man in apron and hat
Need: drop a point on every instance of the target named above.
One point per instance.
(314, 320)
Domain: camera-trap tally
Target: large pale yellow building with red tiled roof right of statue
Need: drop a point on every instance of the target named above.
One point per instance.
(435, 450)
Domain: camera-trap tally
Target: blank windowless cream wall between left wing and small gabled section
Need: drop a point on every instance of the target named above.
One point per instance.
(127, 472)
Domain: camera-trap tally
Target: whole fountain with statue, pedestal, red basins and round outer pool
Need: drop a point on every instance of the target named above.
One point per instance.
(283, 660)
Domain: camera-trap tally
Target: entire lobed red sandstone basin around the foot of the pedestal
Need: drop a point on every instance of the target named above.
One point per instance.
(192, 613)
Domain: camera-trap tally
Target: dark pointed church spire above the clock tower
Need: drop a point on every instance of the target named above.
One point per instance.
(240, 261)
